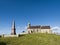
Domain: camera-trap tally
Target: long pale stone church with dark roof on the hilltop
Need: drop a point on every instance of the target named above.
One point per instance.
(38, 29)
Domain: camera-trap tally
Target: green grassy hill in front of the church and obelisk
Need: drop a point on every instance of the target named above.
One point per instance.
(32, 39)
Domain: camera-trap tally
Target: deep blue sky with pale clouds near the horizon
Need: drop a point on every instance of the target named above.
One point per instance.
(37, 12)
